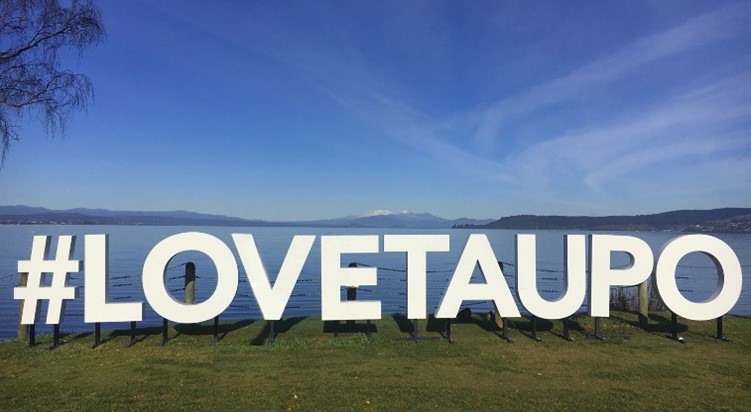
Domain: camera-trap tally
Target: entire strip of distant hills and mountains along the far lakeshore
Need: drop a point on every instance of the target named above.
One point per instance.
(728, 220)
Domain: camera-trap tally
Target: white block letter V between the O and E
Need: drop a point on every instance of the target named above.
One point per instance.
(272, 300)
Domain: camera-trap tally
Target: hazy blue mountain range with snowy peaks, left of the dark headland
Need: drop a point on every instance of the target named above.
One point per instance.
(82, 216)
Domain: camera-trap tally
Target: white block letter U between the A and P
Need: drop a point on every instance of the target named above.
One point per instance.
(575, 278)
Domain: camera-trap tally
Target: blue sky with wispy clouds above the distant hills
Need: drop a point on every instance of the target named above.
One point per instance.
(484, 109)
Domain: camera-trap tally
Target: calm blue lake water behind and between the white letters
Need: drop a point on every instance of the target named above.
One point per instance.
(129, 246)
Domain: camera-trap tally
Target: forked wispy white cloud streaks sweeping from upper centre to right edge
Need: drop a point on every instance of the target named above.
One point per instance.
(706, 121)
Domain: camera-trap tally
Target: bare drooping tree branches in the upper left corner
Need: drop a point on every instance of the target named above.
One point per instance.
(32, 33)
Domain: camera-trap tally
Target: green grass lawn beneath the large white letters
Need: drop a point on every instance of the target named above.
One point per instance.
(307, 369)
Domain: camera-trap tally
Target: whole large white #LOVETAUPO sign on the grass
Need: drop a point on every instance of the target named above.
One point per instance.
(272, 299)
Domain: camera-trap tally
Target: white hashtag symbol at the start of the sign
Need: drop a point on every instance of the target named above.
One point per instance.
(37, 267)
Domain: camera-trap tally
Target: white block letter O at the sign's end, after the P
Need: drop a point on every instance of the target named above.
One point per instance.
(729, 277)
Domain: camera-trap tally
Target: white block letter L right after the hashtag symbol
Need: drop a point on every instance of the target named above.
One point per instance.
(96, 286)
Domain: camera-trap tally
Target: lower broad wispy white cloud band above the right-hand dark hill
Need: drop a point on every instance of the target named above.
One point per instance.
(690, 125)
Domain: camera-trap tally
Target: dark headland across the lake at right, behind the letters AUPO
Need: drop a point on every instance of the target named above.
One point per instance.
(727, 220)
